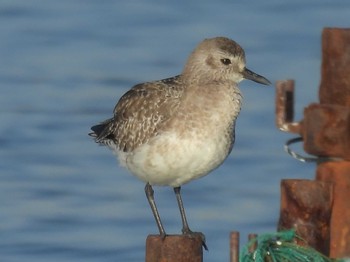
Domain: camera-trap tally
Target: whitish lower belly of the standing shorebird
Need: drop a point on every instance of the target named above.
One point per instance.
(173, 161)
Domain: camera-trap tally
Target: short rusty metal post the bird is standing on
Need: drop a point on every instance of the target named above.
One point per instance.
(174, 248)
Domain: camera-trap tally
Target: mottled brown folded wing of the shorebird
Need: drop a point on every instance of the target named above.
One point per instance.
(141, 112)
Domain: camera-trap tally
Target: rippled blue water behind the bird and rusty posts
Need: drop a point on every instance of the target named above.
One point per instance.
(63, 66)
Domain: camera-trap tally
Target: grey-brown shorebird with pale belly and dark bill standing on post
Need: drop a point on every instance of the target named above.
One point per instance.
(172, 131)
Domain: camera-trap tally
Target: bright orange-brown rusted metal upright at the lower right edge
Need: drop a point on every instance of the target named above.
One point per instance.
(338, 173)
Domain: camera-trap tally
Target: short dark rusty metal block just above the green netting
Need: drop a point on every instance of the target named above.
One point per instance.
(306, 206)
